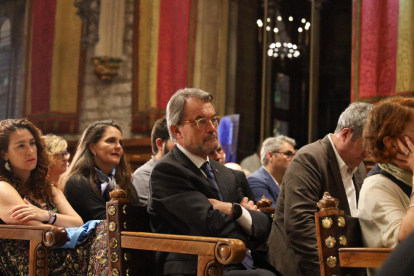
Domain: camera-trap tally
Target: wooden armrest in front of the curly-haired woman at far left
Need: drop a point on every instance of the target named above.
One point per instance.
(48, 234)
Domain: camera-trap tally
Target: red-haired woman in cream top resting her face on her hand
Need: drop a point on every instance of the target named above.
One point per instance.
(386, 199)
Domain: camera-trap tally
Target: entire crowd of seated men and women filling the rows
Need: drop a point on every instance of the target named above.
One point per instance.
(189, 191)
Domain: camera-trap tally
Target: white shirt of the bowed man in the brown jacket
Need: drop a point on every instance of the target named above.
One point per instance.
(346, 176)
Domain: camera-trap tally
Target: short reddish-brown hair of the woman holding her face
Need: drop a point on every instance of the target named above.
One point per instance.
(389, 117)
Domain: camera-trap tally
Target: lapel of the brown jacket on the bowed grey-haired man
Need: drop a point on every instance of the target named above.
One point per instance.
(333, 163)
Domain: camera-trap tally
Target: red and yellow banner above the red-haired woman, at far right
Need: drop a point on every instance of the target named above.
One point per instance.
(383, 49)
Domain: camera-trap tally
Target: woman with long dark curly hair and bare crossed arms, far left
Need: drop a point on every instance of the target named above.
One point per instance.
(27, 197)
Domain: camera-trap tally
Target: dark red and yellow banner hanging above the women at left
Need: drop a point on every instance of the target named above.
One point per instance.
(54, 68)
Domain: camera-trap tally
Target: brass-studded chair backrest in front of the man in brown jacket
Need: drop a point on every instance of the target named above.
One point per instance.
(335, 230)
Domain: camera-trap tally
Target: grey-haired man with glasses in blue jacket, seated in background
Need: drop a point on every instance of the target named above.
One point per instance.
(275, 155)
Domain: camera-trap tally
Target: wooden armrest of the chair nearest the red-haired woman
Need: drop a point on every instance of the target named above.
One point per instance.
(363, 257)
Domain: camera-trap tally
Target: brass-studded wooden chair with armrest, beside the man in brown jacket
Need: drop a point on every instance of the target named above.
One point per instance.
(339, 240)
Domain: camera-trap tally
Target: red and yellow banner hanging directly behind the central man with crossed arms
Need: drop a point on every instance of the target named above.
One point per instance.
(164, 35)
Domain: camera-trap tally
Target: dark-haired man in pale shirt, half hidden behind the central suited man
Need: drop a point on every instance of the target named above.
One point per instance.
(161, 145)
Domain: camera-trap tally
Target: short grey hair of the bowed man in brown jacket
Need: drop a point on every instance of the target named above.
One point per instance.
(354, 118)
